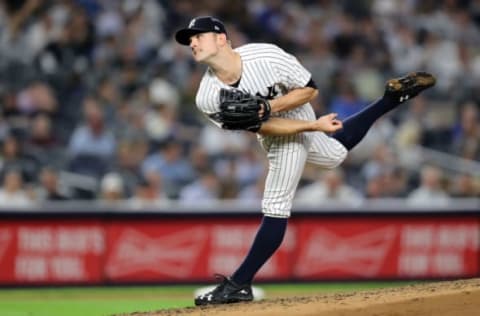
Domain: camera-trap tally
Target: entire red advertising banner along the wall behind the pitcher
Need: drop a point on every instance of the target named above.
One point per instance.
(92, 251)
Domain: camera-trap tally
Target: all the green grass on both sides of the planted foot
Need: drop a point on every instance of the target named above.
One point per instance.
(100, 301)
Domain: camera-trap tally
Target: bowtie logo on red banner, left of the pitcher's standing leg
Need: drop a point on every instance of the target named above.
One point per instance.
(173, 255)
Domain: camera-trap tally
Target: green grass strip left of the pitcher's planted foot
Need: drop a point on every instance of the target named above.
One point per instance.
(92, 301)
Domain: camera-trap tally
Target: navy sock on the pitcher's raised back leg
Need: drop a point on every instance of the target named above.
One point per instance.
(356, 126)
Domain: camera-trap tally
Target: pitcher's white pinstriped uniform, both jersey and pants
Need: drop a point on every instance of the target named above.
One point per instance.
(270, 72)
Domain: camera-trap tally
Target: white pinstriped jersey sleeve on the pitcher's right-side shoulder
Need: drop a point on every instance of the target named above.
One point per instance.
(289, 69)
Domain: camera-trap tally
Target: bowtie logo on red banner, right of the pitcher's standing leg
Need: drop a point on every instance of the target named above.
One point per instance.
(360, 254)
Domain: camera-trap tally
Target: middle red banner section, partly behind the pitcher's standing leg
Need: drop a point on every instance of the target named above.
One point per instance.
(173, 250)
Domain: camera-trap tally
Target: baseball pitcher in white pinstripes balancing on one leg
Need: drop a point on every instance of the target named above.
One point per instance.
(262, 89)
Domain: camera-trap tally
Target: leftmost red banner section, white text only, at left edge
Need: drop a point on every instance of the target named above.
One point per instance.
(44, 252)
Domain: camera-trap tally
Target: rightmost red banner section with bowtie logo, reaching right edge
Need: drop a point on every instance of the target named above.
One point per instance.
(387, 248)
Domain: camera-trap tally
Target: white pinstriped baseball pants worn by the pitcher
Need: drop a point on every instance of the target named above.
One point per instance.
(287, 156)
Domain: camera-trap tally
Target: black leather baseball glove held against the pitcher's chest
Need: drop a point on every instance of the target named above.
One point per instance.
(239, 110)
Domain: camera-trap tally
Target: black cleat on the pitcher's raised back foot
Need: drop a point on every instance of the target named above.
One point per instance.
(405, 88)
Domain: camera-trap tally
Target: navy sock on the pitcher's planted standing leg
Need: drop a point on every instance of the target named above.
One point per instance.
(268, 239)
